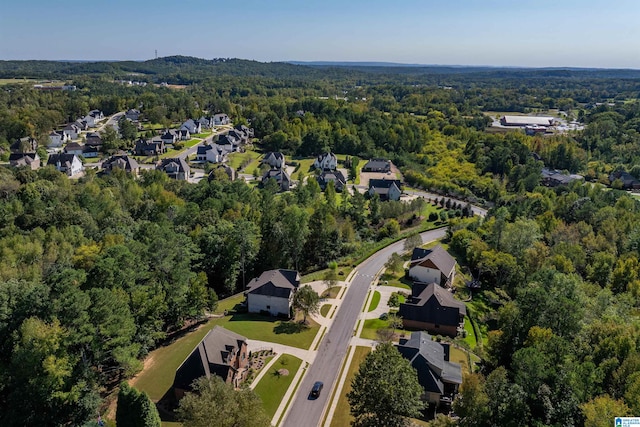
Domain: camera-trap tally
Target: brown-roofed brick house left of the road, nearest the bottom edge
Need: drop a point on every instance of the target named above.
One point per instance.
(222, 353)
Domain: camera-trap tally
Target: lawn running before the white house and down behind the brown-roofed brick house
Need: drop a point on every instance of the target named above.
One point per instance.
(160, 366)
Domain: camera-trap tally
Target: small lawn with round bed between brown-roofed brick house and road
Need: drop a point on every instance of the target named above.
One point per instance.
(273, 386)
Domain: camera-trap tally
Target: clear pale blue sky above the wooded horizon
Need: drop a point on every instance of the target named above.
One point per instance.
(540, 33)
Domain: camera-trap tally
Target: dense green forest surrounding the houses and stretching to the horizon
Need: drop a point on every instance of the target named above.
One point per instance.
(95, 273)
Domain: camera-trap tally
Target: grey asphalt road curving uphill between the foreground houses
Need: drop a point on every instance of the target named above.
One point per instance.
(334, 346)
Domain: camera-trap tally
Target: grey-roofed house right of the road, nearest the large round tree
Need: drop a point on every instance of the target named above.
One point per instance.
(439, 377)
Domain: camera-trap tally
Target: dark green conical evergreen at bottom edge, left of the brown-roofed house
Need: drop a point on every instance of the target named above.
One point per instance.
(135, 409)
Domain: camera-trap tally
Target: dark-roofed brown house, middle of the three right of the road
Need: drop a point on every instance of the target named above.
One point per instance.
(432, 308)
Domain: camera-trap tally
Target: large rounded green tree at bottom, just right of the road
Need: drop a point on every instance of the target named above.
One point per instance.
(385, 389)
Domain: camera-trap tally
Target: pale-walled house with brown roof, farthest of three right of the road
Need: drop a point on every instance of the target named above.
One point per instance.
(434, 265)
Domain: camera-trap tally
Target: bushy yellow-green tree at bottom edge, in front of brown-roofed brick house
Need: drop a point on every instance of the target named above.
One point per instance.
(214, 402)
